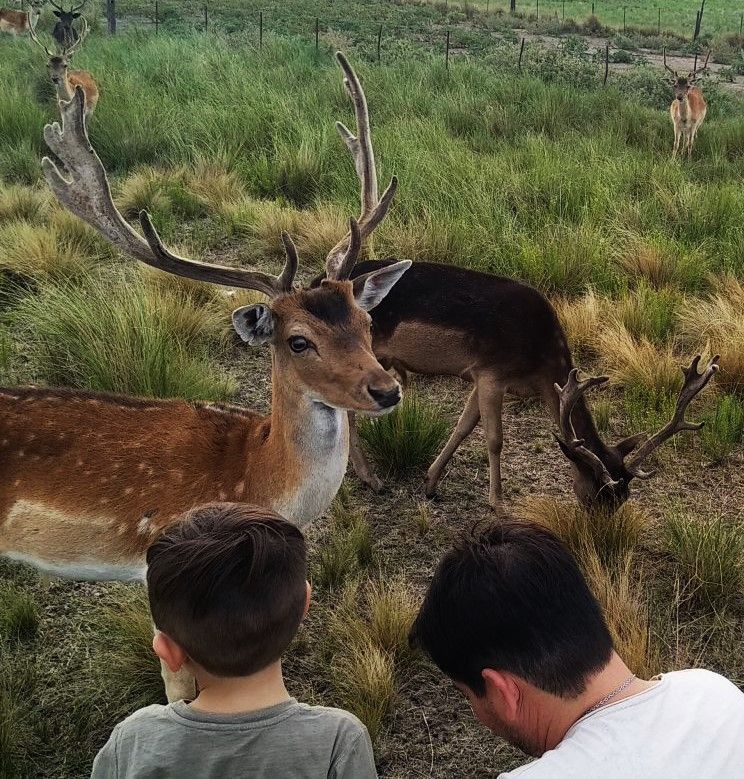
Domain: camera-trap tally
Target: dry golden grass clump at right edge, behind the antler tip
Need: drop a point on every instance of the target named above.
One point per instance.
(716, 324)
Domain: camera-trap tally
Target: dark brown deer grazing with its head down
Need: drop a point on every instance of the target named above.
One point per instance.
(504, 336)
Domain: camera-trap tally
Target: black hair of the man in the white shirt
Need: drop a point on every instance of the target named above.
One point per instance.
(512, 598)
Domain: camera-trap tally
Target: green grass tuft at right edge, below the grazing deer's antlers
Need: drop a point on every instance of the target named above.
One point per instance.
(709, 555)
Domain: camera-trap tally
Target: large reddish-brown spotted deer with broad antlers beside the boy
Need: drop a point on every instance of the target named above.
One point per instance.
(88, 478)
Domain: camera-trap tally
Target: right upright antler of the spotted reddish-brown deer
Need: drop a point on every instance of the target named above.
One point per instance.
(341, 259)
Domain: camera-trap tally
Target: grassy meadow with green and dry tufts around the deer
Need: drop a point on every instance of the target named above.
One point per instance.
(542, 175)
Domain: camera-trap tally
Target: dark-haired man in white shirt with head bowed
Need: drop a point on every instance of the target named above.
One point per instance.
(510, 618)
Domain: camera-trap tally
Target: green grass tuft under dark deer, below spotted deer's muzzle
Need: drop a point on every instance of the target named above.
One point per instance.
(408, 438)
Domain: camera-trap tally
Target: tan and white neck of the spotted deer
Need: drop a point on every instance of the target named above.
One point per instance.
(310, 442)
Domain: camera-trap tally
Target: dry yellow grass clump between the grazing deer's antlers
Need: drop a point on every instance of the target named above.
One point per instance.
(639, 363)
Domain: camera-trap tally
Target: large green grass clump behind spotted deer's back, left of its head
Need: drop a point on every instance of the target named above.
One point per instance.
(117, 333)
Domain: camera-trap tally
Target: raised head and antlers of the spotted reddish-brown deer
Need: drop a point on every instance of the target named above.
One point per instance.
(320, 337)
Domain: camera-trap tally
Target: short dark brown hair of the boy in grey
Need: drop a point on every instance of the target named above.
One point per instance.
(227, 584)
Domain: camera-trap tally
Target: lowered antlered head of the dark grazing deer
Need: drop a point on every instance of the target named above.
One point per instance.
(602, 479)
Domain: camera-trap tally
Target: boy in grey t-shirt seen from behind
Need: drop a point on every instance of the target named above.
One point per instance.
(228, 590)
